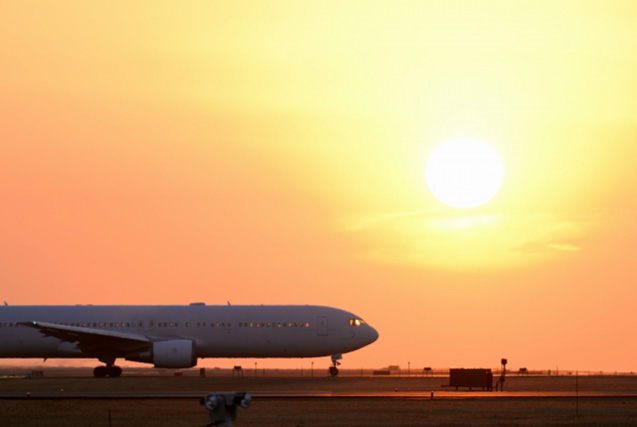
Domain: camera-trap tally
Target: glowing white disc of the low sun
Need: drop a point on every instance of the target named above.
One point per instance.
(464, 173)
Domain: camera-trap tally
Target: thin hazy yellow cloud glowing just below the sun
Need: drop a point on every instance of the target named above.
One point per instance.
(457, 239)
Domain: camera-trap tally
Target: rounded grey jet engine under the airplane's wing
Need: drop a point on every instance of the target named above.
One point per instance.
(175, 354)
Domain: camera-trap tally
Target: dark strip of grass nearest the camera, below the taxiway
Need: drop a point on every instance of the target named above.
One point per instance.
(327, 412)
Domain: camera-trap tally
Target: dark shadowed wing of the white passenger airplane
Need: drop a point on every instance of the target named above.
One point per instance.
(91, 340)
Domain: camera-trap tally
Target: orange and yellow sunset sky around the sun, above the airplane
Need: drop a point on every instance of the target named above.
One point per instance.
(273, 152)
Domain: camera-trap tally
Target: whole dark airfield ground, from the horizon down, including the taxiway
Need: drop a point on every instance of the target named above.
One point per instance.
(618, 407)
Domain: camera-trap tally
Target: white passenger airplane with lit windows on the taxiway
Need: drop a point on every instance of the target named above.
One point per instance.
(175, 336)
